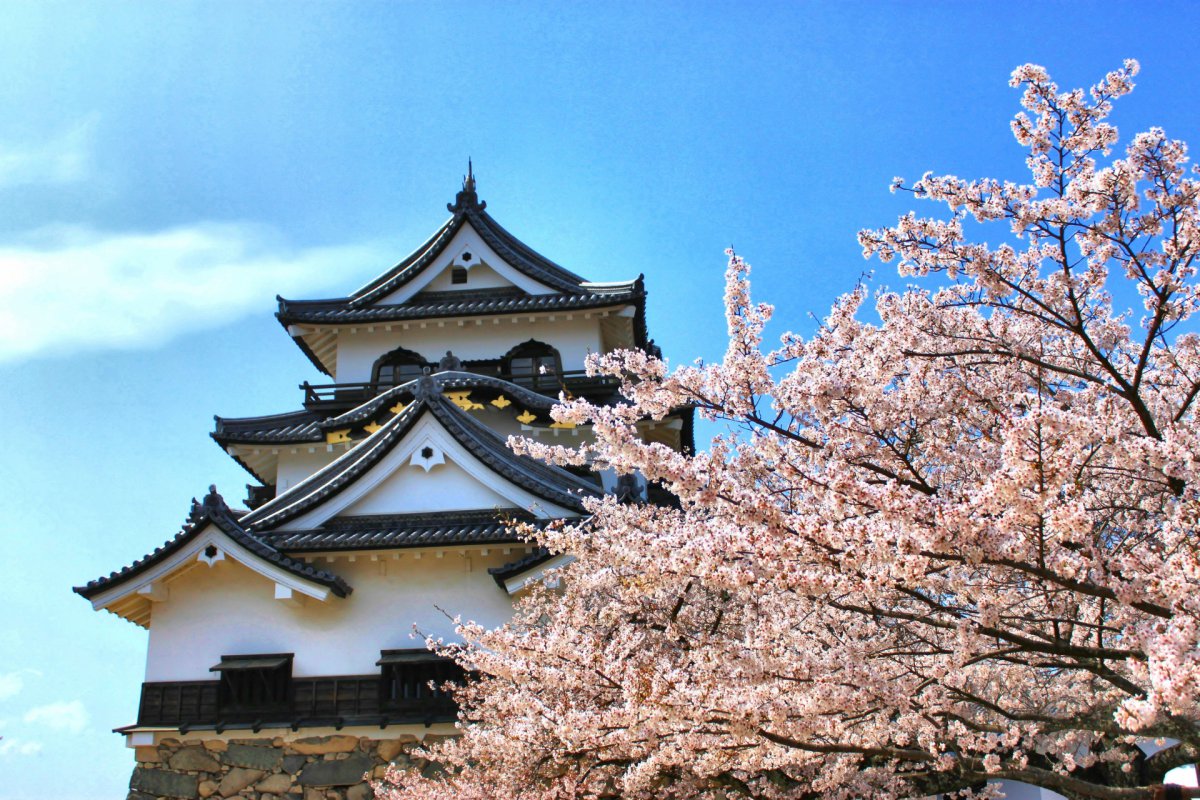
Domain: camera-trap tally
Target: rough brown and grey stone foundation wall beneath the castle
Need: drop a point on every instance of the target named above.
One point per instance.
(317, 768)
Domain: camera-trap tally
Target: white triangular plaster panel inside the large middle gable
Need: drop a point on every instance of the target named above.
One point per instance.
(411, 490)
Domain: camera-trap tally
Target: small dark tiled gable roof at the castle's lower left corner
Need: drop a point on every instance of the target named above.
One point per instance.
(215, 512)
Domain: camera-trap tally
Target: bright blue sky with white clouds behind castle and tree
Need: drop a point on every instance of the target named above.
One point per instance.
(166, 170)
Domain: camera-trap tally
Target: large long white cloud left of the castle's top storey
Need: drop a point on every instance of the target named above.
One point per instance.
(68, 290)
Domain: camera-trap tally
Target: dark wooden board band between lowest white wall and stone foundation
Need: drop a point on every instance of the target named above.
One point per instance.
(313, 702)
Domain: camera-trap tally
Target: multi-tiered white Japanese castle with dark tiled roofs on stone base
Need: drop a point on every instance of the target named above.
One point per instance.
(281, 659)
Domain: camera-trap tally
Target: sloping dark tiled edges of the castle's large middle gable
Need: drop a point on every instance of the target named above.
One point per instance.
(545, 482)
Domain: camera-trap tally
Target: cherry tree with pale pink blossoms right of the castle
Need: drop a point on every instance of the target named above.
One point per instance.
(951, 543)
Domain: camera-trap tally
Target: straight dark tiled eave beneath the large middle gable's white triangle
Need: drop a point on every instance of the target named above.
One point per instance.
(404, 531)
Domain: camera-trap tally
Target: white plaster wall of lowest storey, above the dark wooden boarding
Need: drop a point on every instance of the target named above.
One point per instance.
(230, 610)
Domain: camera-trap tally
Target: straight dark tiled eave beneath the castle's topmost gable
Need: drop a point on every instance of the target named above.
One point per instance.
(451, 304)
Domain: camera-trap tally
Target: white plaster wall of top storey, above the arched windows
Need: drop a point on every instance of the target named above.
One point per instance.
(574, 339)
